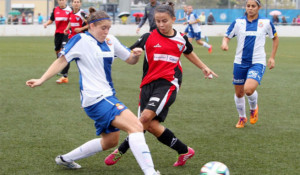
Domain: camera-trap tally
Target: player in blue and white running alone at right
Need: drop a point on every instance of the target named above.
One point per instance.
(250, 58)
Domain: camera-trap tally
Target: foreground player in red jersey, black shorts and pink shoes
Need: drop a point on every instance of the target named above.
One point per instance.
(161, 81)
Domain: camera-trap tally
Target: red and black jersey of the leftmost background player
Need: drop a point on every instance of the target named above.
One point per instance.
(61, 18)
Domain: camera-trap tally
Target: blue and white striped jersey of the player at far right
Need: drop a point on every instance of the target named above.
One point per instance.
(251, 38)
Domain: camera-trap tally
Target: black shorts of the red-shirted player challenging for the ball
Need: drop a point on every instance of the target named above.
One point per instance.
(158, 96)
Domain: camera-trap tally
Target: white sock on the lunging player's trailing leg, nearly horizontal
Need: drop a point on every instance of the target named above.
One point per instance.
(88, 149)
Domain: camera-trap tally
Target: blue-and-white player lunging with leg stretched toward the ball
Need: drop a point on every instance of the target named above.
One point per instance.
(94, 53)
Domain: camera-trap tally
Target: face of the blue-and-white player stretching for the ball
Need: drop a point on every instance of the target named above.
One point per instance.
(100, 31)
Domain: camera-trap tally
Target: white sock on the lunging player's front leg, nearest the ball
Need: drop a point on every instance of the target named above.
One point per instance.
(141, 152)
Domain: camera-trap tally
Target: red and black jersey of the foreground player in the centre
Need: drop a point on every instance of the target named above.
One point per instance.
(162, 56)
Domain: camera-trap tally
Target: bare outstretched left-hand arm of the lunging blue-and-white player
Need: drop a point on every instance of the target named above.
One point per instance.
(55, 68)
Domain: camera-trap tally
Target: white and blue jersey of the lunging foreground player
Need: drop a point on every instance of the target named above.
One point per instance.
(94, 60)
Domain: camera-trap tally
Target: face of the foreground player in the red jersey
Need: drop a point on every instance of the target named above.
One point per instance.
(164, 23)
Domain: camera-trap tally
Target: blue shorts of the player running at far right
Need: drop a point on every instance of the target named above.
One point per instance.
(242, 72)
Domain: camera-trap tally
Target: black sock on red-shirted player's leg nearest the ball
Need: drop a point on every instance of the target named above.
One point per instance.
(169, 139)
